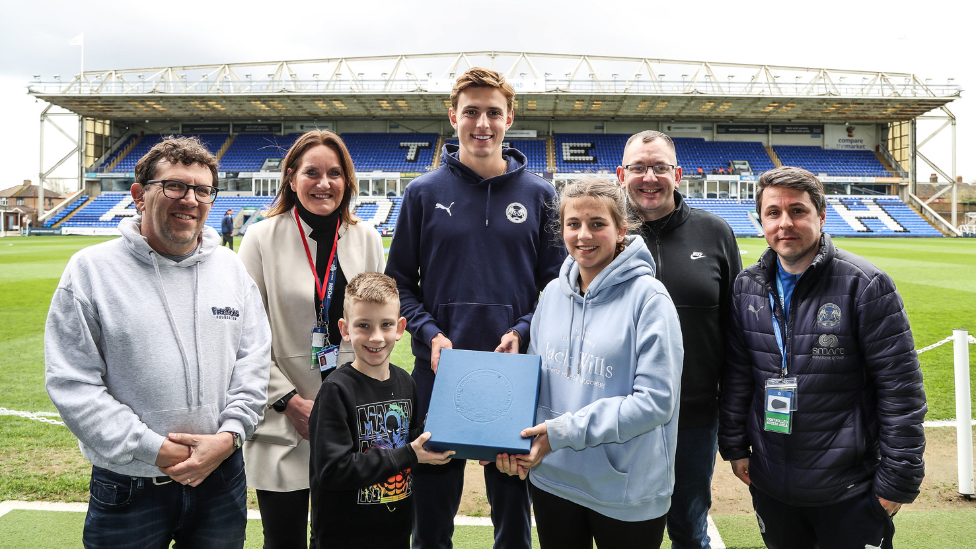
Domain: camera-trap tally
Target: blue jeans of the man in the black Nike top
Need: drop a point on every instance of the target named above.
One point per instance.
(694, 462)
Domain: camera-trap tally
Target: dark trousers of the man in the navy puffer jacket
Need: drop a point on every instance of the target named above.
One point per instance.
(855, 523)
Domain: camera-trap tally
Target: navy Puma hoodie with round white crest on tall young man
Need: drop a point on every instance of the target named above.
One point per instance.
(470, 255)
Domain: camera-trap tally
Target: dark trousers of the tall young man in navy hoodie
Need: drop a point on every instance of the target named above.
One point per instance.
(437, 493)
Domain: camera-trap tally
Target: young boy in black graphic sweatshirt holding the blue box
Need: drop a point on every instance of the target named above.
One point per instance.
(361, 429)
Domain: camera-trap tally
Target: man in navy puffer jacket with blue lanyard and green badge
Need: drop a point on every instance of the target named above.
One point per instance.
(851, 453)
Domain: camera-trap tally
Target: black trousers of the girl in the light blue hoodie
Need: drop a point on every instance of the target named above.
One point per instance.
(562, 524)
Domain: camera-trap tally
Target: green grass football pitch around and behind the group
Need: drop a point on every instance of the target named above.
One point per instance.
(40, 461)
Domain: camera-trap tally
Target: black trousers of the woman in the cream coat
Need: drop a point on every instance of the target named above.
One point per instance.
(284, 519)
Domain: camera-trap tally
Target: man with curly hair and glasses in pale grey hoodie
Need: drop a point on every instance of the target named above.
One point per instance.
(157, 352)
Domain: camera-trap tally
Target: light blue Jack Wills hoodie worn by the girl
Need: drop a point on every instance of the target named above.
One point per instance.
(610, 397)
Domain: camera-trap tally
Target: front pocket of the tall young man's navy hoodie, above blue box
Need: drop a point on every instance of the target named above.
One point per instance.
(475, 326)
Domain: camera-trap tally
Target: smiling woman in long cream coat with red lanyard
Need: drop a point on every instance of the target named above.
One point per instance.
(276, 457)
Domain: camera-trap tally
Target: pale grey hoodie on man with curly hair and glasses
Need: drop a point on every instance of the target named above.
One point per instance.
(138, 346)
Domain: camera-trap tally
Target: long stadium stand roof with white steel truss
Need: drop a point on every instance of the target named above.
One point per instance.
(547, 86)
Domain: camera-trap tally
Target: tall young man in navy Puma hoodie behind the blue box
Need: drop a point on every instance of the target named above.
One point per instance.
(471, 254)
